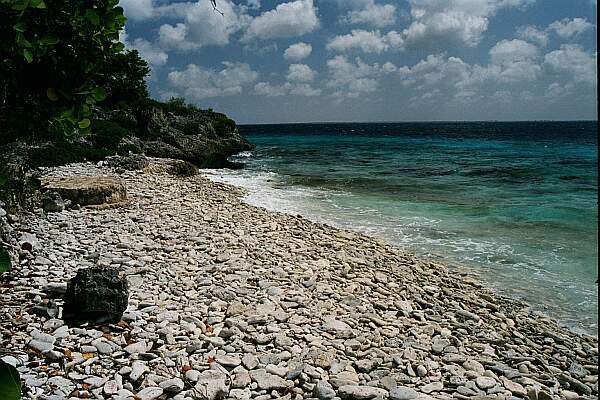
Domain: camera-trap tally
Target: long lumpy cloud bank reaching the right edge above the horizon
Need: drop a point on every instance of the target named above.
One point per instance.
(516, 72)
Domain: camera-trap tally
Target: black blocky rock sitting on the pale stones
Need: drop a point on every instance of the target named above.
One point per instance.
(96, 294)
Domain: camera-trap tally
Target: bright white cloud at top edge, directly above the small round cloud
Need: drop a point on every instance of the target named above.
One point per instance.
(291, 19)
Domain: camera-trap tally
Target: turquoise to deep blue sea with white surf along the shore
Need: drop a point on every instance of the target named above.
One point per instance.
(516, 203)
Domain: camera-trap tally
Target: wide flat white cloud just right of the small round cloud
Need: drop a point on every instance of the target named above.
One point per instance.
(366, 41)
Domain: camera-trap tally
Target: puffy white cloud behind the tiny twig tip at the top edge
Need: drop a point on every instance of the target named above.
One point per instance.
(202, 25)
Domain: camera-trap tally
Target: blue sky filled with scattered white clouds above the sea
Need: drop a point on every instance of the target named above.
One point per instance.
(262, 61)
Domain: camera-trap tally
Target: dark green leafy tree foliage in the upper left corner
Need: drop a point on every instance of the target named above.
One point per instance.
(59, 59)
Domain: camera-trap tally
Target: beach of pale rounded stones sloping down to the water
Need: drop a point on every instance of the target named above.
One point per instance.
(284, 307)
